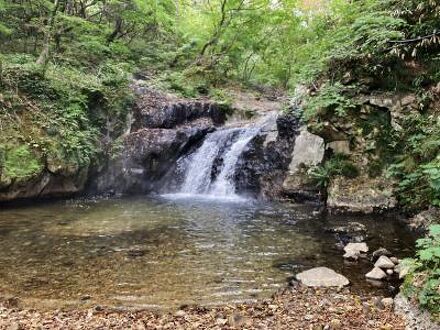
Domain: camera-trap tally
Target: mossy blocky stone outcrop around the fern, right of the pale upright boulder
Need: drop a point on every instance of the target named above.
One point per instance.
(361, 137)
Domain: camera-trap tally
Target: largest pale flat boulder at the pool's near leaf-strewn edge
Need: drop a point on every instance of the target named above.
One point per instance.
(322, 277)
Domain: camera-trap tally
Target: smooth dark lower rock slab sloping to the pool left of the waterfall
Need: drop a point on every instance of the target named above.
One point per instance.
(147, 156)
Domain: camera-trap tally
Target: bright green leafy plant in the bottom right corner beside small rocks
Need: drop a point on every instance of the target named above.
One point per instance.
(423, 279)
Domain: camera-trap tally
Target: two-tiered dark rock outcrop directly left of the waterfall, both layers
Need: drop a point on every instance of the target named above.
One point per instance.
(164, 128)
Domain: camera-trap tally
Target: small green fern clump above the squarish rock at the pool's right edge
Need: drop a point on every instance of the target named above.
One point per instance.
(337, 165)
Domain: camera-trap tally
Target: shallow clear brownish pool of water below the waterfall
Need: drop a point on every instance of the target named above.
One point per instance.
(163, 252)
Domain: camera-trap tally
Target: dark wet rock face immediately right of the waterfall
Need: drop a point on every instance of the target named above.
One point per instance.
(263, 167)
